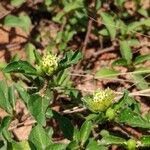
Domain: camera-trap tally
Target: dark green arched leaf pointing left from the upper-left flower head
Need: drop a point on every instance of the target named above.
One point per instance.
(20, 67)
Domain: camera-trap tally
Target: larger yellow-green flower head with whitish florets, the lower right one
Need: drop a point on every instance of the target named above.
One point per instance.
(100, 100)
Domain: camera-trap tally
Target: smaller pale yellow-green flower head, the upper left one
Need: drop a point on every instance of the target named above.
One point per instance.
(48, 64)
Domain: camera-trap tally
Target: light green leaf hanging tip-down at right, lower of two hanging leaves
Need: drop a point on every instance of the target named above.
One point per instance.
(126, 51)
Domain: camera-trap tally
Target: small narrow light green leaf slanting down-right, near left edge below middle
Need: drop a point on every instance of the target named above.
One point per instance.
(22, 92)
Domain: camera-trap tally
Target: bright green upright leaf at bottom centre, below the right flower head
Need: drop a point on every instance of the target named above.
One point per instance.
(85, 131)
